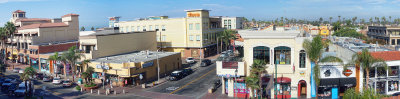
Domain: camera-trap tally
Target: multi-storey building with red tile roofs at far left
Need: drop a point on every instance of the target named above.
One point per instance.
(36, 36)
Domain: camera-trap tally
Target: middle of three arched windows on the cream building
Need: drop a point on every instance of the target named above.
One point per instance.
(282, 55)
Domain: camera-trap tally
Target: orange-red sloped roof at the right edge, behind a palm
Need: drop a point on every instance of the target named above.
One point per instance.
(387, 55)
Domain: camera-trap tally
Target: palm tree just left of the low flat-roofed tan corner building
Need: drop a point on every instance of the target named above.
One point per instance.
(71, 56)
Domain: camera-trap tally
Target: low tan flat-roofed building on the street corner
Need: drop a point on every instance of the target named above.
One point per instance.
(136, 65)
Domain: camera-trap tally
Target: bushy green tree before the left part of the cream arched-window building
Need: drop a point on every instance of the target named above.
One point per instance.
(257, 69)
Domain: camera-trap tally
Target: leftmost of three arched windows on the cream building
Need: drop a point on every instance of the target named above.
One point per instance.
(261, 53)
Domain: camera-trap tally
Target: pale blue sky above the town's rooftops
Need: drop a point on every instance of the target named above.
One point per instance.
(96, 12)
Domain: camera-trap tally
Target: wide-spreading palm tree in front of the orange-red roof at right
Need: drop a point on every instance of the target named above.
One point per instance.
(366, 61)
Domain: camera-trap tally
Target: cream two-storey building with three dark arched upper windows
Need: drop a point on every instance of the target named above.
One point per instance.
(280, 48)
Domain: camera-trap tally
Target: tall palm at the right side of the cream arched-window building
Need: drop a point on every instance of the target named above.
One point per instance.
(314, 50)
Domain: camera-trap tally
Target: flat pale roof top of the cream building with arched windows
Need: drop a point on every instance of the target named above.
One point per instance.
(268, 34)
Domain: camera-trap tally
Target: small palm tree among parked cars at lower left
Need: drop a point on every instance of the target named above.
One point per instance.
(28, 73)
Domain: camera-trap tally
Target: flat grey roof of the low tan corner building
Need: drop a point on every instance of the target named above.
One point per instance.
(136, 57)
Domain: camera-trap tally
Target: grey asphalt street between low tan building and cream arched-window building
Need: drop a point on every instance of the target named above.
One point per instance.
(194, 85)
